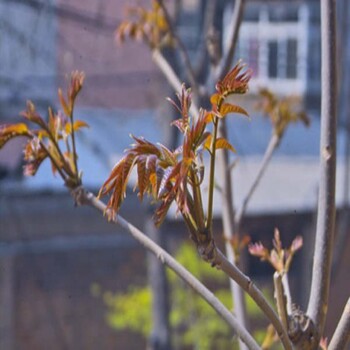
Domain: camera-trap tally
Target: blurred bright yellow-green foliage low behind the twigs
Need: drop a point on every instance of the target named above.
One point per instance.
(194, 323)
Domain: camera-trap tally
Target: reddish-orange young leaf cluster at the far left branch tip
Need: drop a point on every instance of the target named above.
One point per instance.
(45, 138)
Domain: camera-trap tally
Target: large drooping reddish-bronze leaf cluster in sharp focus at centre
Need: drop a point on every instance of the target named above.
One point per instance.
(176, 176)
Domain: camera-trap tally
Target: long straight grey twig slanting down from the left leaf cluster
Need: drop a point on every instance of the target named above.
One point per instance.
(86, 198)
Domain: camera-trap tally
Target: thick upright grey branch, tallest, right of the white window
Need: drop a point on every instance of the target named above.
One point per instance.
(318, 302)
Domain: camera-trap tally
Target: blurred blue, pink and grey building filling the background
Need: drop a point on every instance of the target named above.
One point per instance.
(50, 253)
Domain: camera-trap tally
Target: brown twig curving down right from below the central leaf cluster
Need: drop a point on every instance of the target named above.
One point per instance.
(245, 282)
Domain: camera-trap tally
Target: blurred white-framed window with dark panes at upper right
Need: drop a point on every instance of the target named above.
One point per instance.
(275, 48)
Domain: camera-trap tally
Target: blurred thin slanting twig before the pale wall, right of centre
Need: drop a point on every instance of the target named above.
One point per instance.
(273, 144)
